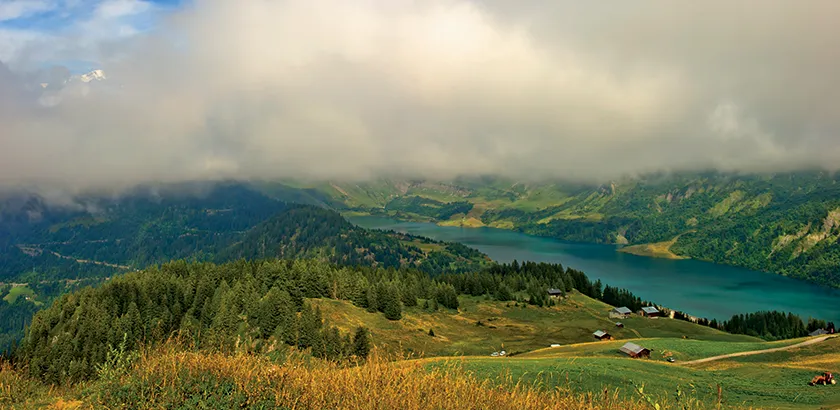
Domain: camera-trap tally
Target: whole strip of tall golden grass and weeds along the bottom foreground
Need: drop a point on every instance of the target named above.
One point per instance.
(171, 377)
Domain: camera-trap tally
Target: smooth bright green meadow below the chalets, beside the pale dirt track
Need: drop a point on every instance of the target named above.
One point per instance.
(775, 380)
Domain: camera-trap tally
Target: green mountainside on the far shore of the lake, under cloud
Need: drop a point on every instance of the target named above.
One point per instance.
(787, 223)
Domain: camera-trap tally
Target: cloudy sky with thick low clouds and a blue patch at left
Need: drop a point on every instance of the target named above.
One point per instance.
(422, 89)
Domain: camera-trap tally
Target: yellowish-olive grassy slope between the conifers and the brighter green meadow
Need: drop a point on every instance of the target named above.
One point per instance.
(517, 329)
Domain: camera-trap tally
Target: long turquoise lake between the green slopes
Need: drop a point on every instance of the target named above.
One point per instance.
(698, 288)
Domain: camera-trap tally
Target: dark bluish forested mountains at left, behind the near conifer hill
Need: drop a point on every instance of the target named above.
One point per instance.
(98, 236)
